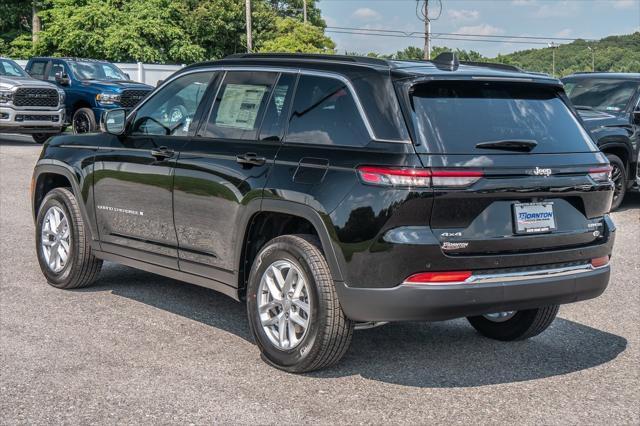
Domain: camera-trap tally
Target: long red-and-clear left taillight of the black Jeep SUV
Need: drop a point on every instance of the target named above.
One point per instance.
(394, 176)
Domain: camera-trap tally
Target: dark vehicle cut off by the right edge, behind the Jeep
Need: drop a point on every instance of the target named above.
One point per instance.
(609, 104)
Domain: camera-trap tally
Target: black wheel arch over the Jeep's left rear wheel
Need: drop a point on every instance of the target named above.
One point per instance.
(290, 218)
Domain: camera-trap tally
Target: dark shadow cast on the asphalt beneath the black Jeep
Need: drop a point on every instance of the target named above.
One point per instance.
(417, 354)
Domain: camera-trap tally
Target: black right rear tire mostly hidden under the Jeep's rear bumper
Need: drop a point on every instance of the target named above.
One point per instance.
(523, 325)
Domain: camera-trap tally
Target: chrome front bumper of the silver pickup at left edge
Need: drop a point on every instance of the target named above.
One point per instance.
(31, 121)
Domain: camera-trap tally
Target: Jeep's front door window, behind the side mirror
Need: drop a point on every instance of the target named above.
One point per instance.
(170, 111)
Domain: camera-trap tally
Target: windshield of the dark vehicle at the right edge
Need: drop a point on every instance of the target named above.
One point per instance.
(603, 94)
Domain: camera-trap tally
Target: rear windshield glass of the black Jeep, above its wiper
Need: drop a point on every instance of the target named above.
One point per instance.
(453, 117)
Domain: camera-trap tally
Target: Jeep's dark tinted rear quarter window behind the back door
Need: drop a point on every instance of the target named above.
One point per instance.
(324, 112)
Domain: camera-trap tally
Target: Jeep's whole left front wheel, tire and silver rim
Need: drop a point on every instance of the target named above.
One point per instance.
(62, 242)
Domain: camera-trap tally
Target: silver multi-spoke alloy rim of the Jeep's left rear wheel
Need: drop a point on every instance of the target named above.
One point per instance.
(284, 304)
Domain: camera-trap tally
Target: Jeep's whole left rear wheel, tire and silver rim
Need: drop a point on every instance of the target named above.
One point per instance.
(294, 311)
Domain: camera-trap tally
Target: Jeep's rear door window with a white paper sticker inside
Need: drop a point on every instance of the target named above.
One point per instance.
(240, 104)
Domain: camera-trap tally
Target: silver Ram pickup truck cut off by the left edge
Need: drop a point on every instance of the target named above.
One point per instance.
(28, 105)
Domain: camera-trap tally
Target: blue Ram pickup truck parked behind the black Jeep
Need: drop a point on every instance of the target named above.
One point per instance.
(92, 87)
